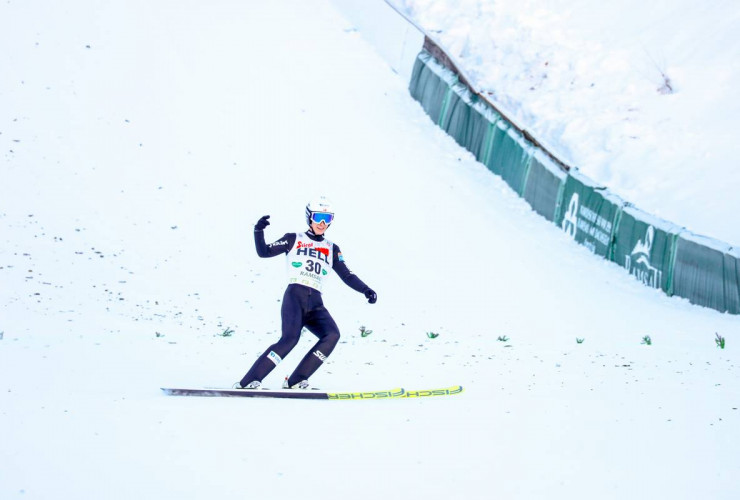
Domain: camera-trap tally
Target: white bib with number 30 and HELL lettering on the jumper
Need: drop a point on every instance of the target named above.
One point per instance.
(309, 261)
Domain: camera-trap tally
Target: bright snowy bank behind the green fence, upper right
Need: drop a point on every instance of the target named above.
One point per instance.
(640, 96)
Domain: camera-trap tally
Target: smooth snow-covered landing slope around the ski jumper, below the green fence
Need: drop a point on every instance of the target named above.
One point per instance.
(141, 141)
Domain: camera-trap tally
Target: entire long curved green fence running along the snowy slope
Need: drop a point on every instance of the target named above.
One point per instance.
(657, 252)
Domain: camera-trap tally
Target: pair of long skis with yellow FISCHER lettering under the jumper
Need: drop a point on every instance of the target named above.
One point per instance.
(311, 394)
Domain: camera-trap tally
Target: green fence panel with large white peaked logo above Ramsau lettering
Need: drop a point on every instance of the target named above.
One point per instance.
(646, 246)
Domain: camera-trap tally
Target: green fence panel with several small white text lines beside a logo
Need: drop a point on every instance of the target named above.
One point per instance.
(589, 213)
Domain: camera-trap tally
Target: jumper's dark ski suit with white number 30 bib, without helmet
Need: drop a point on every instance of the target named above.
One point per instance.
(310, 260)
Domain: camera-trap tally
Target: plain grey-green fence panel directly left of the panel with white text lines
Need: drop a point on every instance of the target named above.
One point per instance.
(544, 185)
